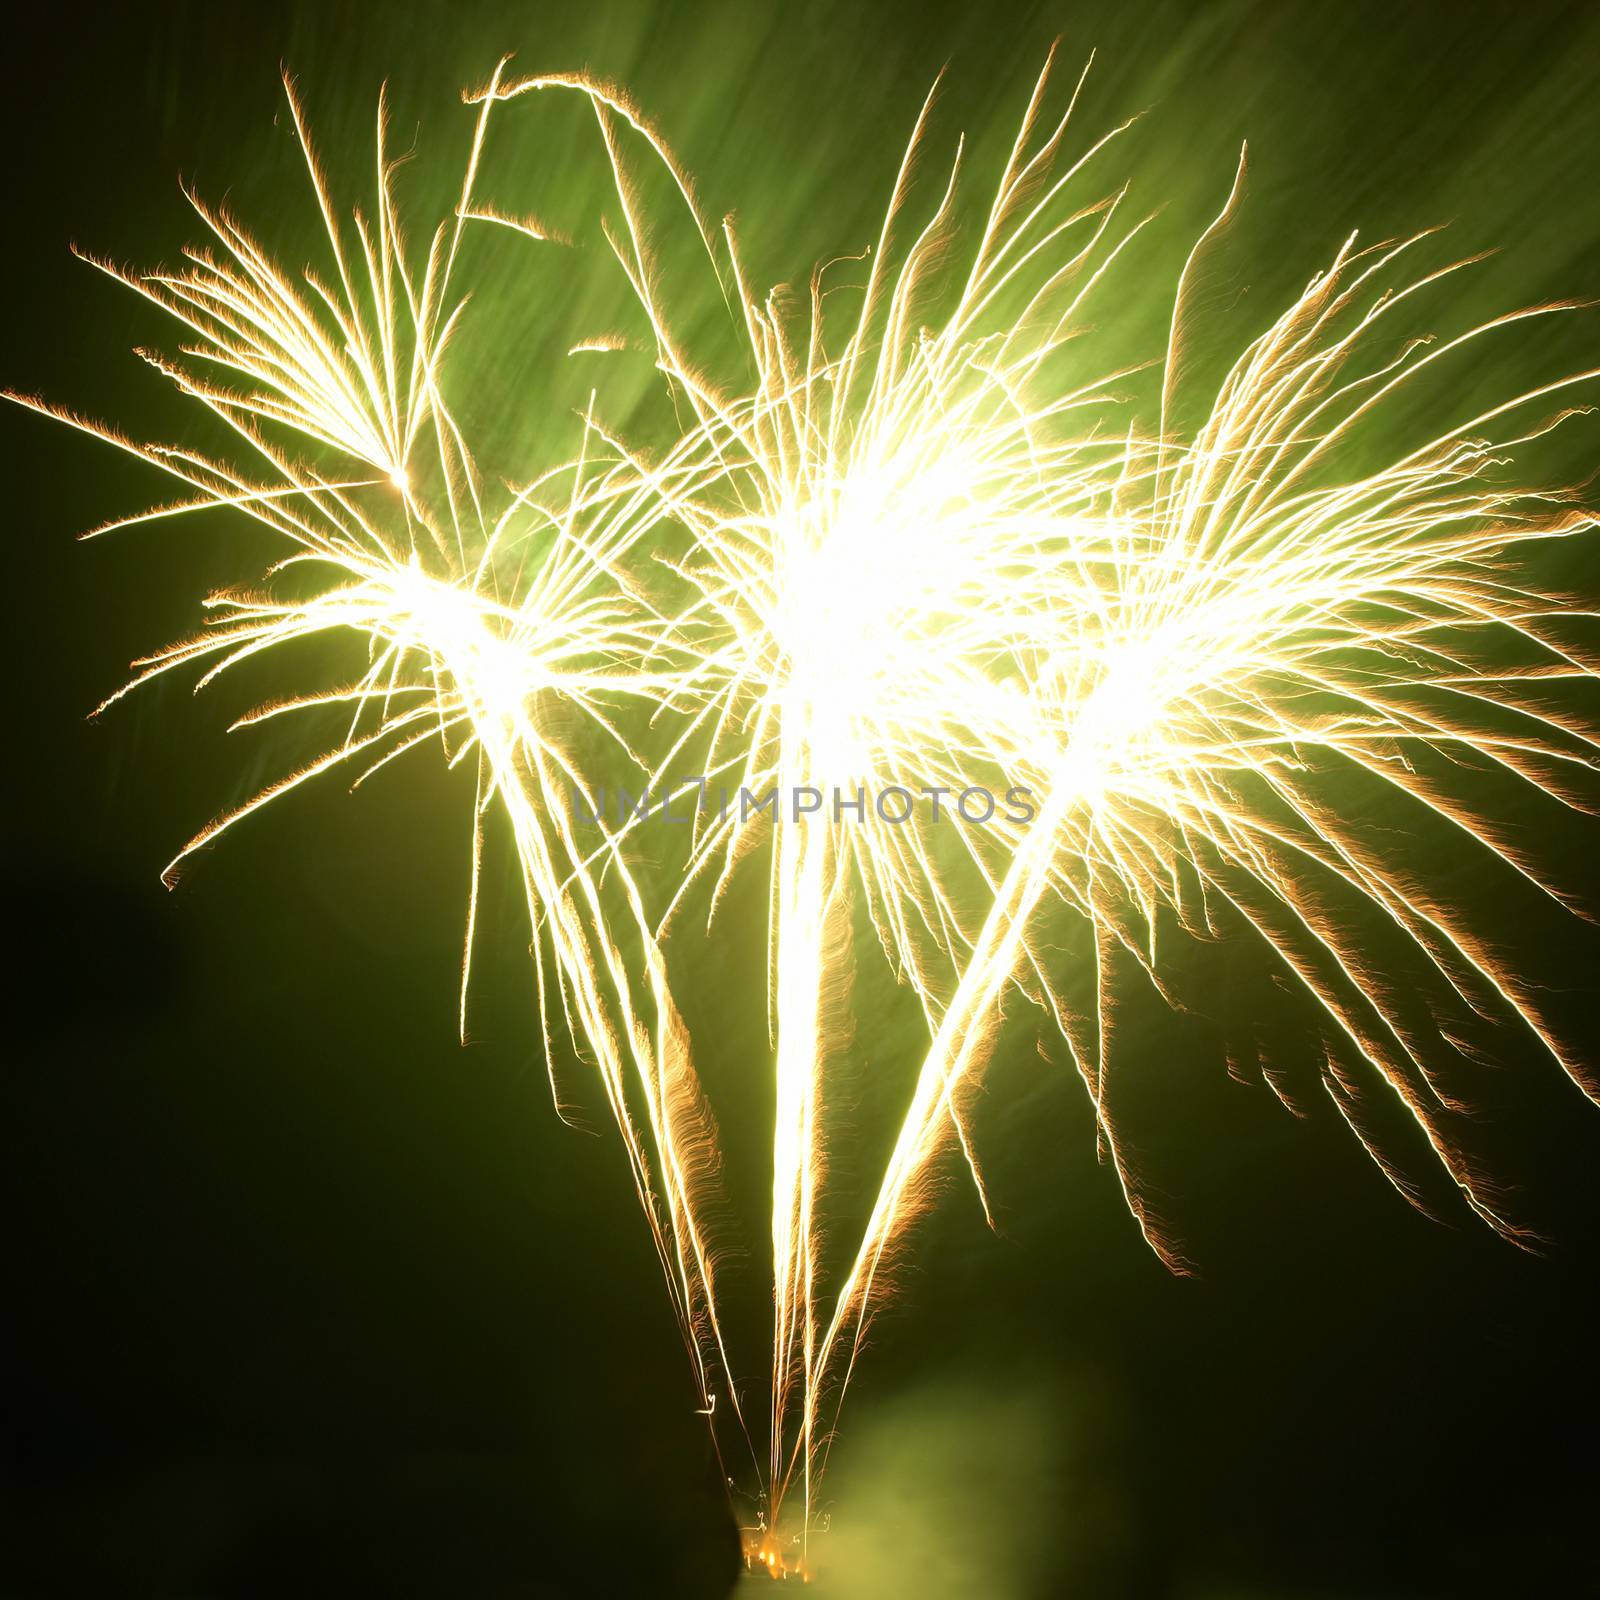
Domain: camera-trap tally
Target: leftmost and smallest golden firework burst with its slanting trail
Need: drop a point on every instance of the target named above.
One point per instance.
(404, 556)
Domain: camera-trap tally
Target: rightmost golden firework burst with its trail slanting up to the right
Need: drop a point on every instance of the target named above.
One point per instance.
(1263, 628)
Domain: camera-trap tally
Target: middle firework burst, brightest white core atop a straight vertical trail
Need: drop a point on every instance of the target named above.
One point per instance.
(876, 545)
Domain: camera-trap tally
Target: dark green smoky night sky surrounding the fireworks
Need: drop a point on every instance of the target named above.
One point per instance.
(302, 1298)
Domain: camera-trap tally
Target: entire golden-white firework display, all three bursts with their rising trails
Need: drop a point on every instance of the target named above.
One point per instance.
(922, 546)
